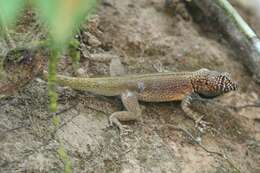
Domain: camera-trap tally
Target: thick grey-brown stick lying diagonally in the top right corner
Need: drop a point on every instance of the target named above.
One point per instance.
(240, 35)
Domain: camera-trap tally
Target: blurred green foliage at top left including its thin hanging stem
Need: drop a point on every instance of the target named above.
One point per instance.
(62, 18)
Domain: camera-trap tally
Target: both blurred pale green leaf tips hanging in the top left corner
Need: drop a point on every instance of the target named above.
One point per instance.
(61, 16)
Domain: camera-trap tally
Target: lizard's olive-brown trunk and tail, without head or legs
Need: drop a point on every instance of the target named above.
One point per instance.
(156, 87)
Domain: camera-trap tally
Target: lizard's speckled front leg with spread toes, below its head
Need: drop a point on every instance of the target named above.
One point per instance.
(186, 102)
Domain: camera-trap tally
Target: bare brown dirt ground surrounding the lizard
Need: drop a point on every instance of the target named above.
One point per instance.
(146, 37)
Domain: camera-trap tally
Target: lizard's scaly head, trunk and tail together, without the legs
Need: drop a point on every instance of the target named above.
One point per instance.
(158, 87)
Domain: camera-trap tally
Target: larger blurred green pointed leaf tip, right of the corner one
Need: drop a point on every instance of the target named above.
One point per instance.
(63, 16)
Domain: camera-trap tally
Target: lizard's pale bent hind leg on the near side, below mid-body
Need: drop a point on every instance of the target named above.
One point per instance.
(133, 111)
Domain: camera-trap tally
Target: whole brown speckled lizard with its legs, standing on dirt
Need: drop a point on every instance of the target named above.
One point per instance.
(157, 87)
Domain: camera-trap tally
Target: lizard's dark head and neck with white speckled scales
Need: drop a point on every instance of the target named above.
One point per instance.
(208, 83)
